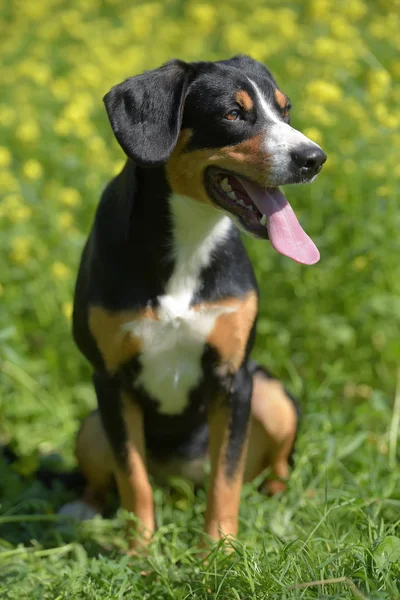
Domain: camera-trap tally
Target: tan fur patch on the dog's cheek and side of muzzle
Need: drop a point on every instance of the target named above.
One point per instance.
(185, 170)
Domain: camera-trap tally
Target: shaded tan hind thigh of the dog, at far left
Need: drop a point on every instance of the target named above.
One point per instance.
(95, 460)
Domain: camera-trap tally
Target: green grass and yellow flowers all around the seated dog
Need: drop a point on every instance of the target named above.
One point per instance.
(331, 331)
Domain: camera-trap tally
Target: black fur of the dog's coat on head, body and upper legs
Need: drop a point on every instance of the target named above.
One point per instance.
(127, 260)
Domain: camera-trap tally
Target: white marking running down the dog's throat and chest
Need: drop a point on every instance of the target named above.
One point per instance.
(172, 346)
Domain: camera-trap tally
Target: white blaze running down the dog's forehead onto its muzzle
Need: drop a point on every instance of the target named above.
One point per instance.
(280, 140)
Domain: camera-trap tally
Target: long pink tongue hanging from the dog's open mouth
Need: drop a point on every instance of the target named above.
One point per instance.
(284, 231)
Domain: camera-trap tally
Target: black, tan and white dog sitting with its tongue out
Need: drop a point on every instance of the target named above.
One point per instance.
(166, 300)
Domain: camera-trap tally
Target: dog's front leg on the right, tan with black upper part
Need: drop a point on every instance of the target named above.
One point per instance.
(228, 429)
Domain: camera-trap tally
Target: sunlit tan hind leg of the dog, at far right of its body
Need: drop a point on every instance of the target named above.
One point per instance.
(272, 433)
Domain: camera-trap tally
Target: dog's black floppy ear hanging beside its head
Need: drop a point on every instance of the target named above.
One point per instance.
(145, 112)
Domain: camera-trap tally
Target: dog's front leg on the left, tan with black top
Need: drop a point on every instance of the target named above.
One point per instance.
(122, 420)
